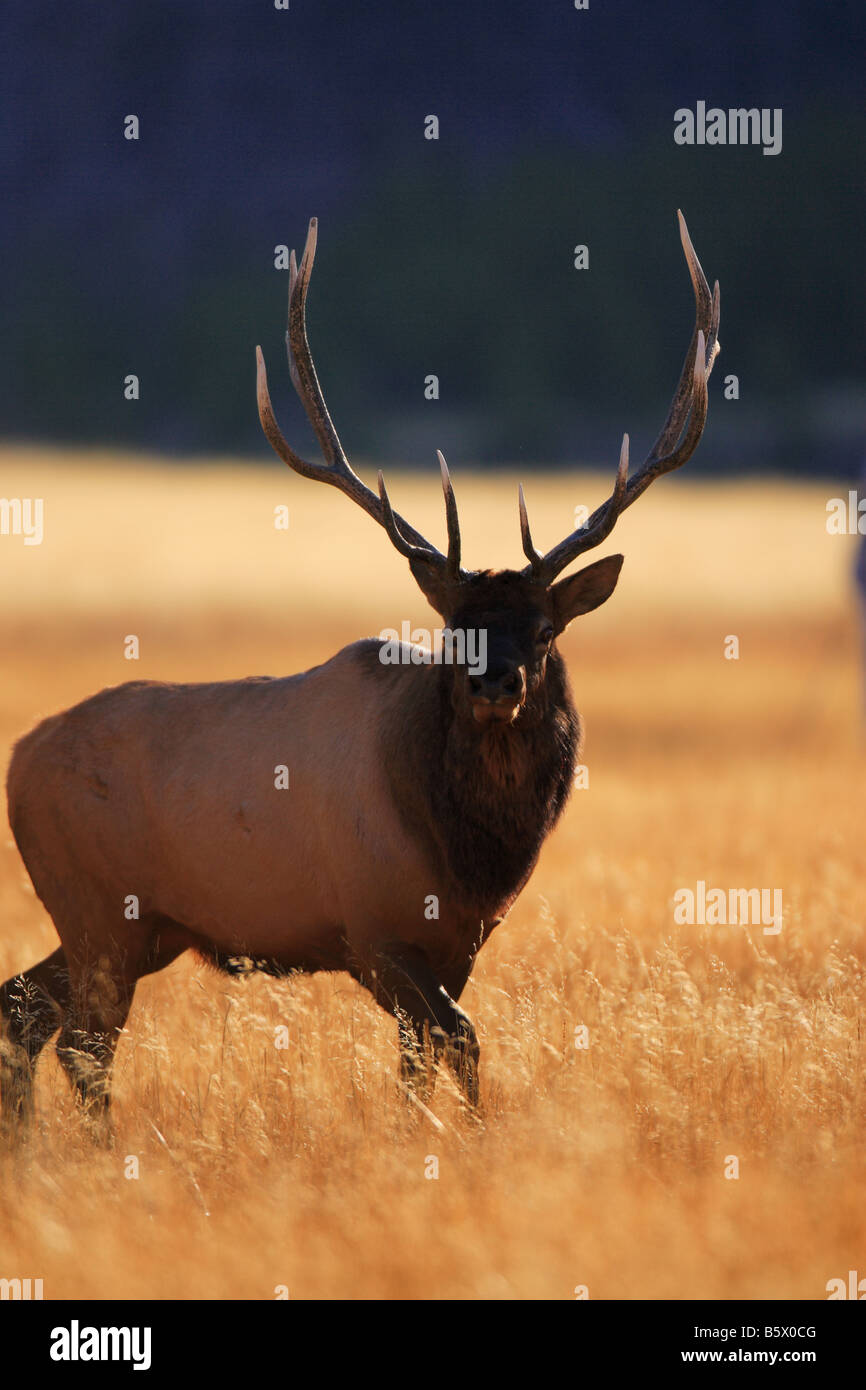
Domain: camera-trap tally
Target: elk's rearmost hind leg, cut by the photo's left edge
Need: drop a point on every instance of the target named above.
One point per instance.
(31, 1010)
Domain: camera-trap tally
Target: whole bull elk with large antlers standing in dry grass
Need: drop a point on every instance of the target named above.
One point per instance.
(409, 785)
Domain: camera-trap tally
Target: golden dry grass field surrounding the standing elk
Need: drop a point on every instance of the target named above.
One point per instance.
(603, 1167)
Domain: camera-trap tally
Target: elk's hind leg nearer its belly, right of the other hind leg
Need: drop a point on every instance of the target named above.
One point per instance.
(101, 1000)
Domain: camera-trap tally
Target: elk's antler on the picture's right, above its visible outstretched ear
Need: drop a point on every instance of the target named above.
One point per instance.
(667, 452)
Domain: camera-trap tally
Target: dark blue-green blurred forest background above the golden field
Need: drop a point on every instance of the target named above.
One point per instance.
(450, 258)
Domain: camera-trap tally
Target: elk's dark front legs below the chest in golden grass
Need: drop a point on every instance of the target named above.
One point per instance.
(427, 1018)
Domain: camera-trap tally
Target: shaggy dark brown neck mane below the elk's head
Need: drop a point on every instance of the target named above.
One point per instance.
(483, 801)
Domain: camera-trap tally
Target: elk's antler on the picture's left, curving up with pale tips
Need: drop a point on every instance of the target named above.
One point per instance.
(337, 469)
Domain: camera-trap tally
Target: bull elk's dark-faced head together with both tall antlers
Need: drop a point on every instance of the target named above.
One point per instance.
(522, 614)
